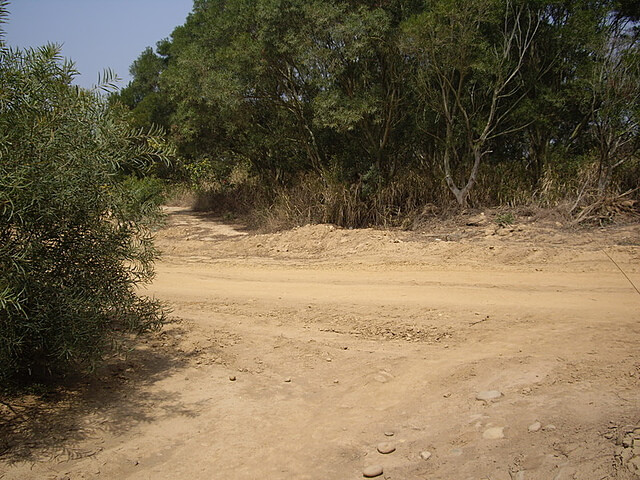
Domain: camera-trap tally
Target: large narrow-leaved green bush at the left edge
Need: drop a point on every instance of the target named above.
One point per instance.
(74, 235)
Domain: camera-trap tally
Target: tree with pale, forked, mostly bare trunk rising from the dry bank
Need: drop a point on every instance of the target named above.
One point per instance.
(470, 57)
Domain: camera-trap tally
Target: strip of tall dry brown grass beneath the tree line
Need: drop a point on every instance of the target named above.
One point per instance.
(407, 202)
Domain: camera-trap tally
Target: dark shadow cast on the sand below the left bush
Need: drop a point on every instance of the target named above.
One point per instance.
(59, 422)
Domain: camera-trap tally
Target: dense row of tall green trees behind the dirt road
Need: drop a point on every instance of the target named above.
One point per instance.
(390, 105)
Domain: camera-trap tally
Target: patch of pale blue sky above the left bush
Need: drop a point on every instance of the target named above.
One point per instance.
(95, 34)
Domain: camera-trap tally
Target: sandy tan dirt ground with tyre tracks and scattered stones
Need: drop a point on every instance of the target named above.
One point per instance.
(294, 355)
